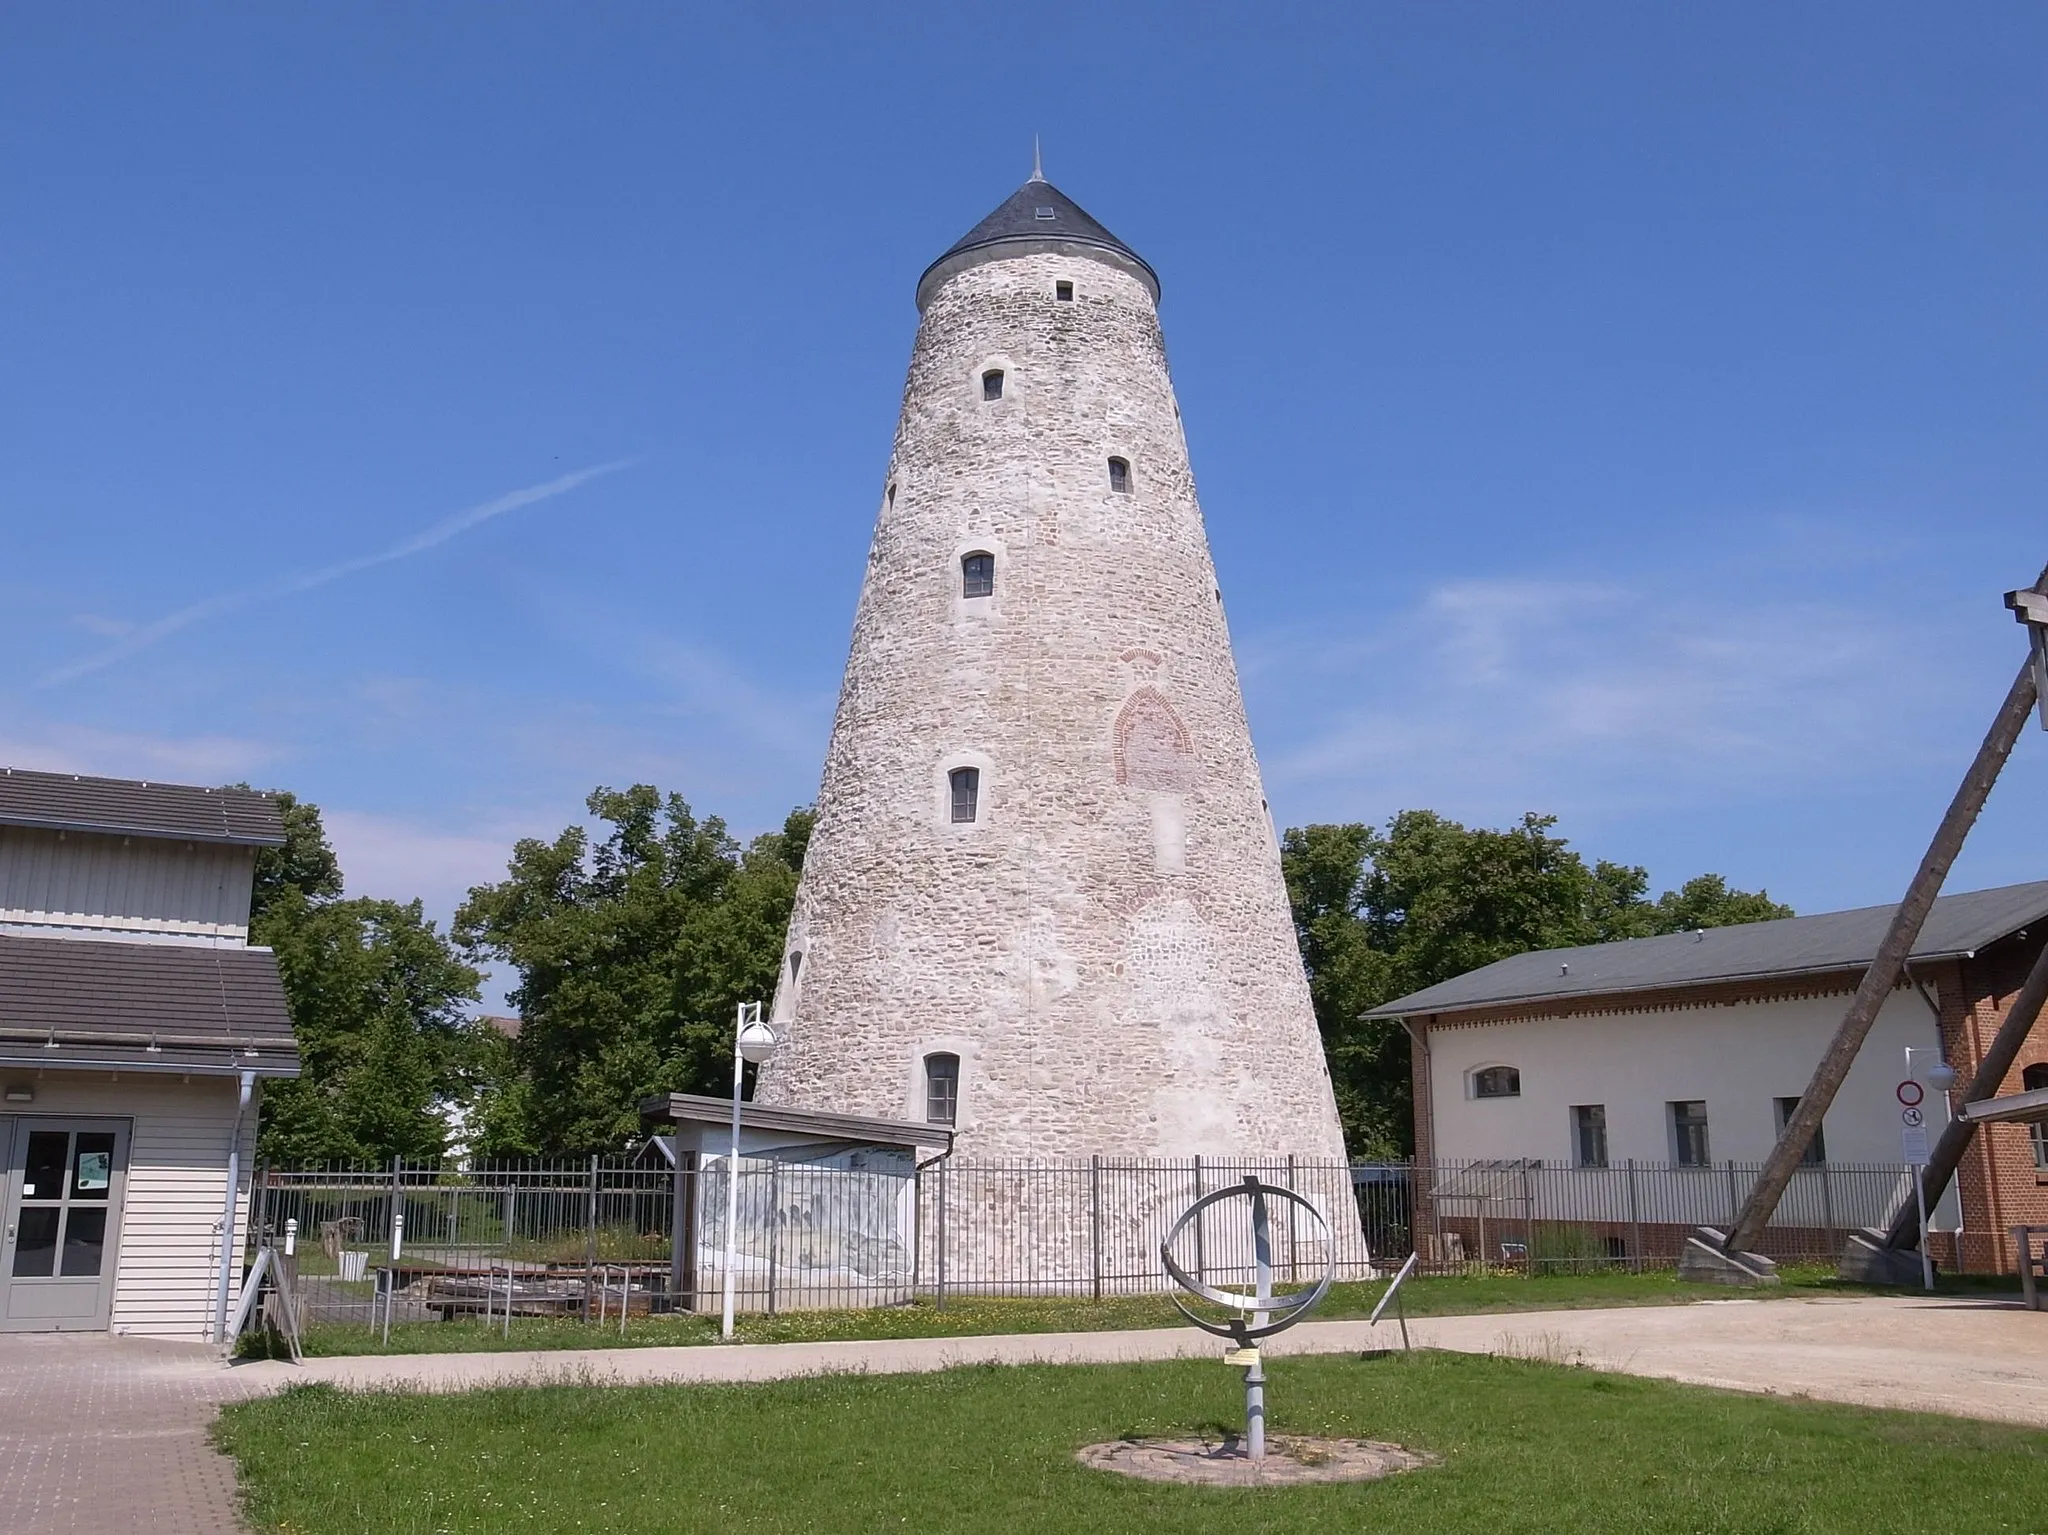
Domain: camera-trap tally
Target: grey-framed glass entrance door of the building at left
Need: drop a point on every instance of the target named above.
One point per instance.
(62, 1225)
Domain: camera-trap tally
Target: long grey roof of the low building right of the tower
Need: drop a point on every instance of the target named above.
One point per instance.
(1793, 947)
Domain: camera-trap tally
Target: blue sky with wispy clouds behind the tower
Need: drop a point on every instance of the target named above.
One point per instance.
(1631, 412)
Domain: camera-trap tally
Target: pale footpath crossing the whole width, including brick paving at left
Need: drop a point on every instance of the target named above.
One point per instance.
(110, 1434)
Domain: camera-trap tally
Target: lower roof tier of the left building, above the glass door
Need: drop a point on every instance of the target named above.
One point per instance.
(81, 1004)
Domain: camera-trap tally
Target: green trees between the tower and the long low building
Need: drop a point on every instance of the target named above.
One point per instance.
(1381, 914)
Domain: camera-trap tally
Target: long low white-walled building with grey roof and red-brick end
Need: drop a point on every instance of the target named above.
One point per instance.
(1687, 1053)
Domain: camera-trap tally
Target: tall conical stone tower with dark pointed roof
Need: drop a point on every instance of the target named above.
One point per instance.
(1043, 893)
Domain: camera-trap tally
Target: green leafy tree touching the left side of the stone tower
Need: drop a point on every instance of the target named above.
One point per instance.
(632, 953)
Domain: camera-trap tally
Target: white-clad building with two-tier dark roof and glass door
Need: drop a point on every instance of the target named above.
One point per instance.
(136, 1030)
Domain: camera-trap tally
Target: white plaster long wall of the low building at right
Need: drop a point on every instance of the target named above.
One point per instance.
(1736, 1059)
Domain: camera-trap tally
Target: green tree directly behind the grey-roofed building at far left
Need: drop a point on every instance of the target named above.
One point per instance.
(376, 1002)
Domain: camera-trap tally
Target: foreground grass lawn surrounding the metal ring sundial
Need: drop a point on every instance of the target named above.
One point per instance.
(1527, 1448)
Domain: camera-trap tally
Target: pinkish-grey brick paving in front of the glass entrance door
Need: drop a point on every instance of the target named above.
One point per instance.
(103, 1434)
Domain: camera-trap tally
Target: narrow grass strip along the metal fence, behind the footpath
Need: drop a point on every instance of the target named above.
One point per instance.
(1461, 1297)
